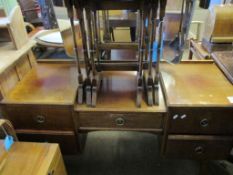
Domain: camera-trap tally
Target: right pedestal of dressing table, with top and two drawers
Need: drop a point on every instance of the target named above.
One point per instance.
(200, 122)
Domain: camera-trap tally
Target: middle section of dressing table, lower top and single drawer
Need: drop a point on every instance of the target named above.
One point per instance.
(116, 108)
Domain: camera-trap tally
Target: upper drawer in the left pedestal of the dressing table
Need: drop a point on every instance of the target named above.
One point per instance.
(43, 117)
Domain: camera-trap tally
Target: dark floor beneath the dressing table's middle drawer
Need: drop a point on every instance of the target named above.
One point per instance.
(127, 153)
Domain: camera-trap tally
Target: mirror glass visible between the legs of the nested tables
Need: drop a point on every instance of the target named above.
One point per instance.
(122, 27)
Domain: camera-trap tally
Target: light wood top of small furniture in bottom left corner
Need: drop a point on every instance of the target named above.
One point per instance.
(27, 158)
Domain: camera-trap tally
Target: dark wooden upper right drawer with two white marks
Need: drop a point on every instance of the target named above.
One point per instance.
(201, 121)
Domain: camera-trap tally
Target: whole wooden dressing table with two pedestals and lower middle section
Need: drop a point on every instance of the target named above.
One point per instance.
(194, 116)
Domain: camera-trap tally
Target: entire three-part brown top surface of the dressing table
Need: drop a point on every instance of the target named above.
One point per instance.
(185, 84)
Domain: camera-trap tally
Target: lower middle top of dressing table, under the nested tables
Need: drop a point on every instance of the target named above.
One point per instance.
(118, 93)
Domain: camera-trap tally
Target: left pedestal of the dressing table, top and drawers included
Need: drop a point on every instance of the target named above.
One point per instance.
(40, 107)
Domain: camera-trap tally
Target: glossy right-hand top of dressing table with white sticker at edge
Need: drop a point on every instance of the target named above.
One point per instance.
(196, 84)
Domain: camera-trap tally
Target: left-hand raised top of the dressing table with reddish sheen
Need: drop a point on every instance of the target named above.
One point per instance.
(47, 83)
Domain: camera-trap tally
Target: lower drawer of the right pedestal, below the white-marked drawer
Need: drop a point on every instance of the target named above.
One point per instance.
(198, 147)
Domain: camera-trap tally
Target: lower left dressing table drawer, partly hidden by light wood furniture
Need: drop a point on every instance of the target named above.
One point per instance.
(66, 140)
